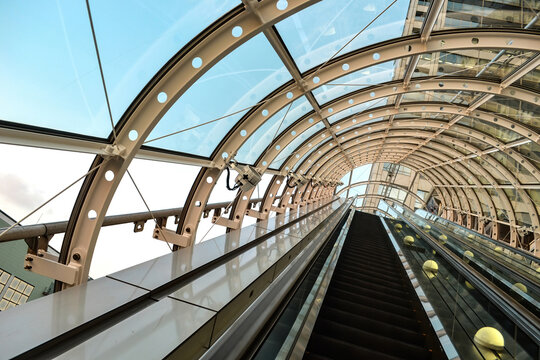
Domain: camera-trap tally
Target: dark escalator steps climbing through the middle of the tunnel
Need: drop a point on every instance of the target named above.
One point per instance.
(370, 310)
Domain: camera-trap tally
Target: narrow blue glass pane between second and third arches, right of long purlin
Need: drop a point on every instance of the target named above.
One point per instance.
(357, 80)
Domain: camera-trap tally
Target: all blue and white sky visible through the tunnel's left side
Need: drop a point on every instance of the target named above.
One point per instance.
(61, 89)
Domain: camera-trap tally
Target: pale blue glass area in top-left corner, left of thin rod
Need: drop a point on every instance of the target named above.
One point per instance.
(49, 75)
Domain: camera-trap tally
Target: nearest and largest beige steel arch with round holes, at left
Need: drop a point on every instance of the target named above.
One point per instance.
(173, 79)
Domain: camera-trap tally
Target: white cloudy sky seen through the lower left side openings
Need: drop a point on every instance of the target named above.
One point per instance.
(31, 176)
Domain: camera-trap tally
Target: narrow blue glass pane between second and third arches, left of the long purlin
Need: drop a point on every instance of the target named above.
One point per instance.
(264, 135)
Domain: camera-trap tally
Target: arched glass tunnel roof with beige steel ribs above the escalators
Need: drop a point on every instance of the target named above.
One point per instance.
(318, 88)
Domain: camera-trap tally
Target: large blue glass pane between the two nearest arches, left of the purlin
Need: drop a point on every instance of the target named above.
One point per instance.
(237, 82)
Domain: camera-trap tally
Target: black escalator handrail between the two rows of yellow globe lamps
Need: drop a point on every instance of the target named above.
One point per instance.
(522, 317)
